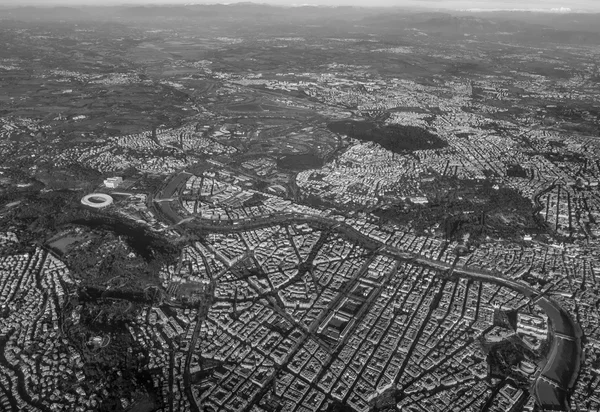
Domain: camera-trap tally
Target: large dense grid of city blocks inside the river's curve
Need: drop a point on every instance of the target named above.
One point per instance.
(404, 321)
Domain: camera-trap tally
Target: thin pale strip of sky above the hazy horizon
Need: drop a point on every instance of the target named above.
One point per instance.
(543, 5)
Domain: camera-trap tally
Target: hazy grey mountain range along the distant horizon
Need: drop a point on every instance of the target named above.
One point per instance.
(561, 28)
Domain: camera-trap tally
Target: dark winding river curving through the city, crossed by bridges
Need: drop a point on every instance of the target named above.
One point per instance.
(558, 375)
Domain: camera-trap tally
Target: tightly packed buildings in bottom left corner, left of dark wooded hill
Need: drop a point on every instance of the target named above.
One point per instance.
(41, 367)
